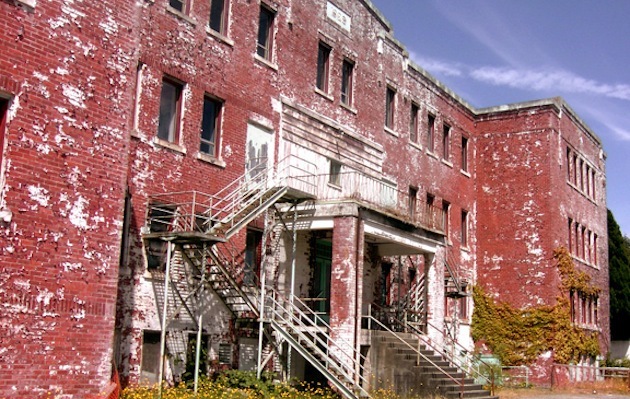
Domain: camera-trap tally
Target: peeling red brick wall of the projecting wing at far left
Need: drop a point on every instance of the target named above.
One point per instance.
(65, 67)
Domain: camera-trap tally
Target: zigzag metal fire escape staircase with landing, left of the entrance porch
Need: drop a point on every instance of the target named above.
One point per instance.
(200, 226)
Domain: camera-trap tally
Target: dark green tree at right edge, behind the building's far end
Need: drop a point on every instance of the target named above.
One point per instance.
(619, 272)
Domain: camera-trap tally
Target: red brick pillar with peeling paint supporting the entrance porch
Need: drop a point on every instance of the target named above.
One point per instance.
(346, 280)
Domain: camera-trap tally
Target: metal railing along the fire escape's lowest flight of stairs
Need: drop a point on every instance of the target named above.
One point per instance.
(310, 328)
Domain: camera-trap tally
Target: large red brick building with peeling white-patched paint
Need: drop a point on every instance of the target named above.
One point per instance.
(174, 163)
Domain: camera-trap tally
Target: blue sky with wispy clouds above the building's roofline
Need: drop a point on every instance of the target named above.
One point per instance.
(493, 52)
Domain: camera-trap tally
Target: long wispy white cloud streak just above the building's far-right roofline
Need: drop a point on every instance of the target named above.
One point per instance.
(549, 80)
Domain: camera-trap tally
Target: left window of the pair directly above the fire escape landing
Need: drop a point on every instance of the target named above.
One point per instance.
(170, 110)
